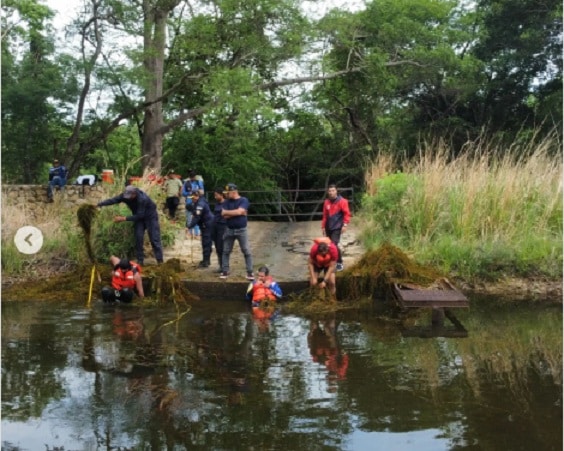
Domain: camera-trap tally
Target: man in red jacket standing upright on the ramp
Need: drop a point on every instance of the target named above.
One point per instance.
(336, 218)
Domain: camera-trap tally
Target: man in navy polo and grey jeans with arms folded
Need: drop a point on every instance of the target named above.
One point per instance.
(234, 211)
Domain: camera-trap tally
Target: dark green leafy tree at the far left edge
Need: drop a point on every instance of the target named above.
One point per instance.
(30, 76)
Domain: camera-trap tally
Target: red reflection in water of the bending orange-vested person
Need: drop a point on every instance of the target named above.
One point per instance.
(324, 349)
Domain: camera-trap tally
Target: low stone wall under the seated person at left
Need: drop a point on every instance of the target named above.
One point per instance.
(33, 198)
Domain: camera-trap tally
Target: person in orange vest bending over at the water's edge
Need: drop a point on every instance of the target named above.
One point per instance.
(323, 257)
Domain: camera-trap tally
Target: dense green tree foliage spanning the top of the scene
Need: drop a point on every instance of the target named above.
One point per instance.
(212, 74)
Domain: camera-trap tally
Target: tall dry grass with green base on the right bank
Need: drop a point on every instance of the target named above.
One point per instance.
(485, 212)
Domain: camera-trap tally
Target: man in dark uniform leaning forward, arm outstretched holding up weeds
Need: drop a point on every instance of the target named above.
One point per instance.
(144, 217)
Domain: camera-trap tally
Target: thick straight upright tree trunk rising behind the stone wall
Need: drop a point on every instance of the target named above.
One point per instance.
(154, 54)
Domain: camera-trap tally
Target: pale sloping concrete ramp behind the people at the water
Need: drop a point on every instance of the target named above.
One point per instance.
(283, 247)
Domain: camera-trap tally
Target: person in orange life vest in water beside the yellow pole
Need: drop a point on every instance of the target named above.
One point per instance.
(126, 280)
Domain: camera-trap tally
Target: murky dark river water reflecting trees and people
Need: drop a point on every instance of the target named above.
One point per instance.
(120, 378)
